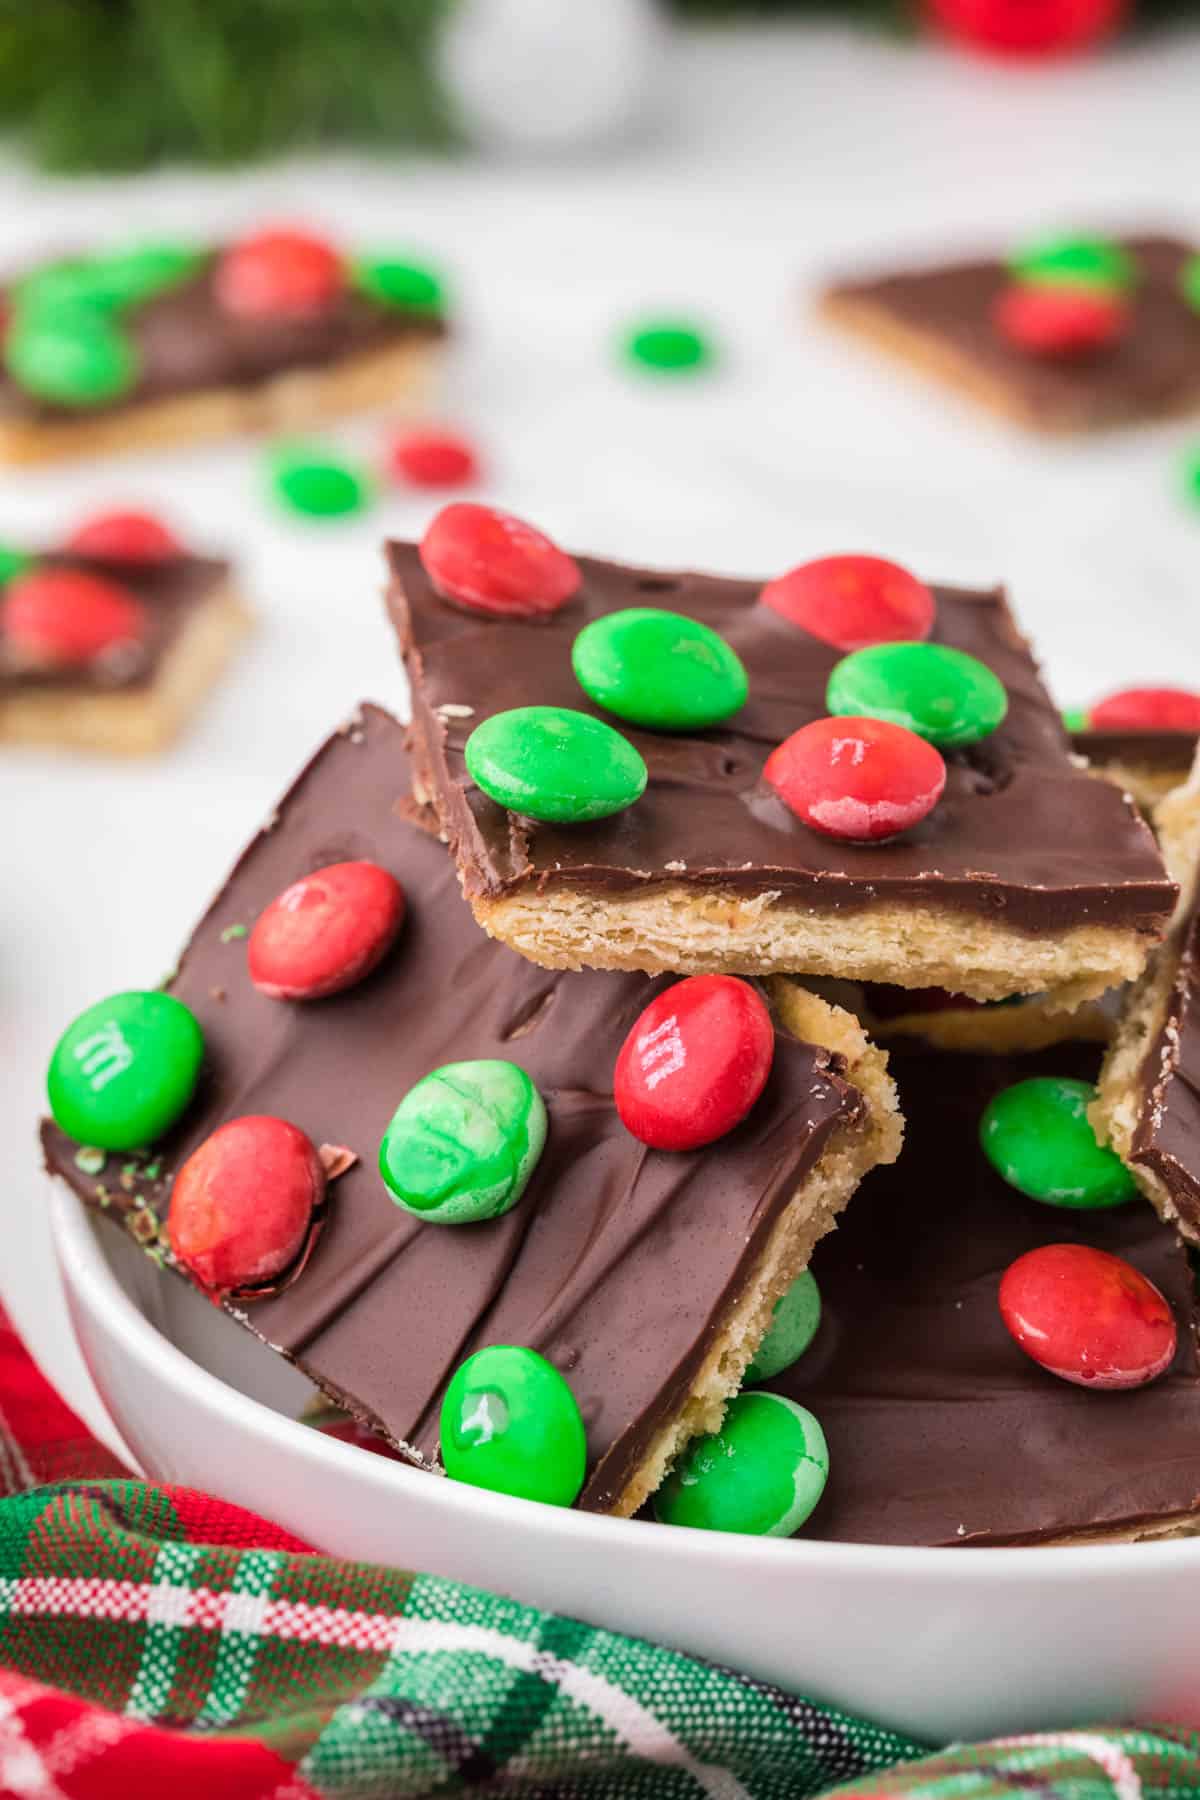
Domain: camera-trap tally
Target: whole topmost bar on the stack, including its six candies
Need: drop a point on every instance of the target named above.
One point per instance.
(640, 769)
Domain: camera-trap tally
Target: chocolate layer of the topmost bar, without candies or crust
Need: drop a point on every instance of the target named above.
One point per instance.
(1021, 834)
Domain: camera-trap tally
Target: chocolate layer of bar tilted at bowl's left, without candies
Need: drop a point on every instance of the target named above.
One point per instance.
(618, 1264)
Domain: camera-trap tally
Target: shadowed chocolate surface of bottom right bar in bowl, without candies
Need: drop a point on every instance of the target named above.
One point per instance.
(942, 1432)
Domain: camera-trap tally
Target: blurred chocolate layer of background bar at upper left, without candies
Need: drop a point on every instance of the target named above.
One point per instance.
(188, 343)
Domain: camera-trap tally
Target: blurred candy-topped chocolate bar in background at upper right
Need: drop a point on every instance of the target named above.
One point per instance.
(1064, 336)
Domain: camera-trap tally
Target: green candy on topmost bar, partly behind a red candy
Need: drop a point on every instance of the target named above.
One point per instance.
(942, 694)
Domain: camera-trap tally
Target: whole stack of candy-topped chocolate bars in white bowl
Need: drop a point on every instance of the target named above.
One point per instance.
(517, 1077)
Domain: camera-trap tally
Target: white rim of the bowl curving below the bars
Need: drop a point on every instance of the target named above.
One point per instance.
(91, 1281)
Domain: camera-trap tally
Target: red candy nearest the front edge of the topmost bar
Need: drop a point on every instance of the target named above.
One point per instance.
(857, 778)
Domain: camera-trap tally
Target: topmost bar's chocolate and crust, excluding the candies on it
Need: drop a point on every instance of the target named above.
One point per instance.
(1028, 876)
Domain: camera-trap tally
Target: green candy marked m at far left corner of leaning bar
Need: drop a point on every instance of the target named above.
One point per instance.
(125, 1070)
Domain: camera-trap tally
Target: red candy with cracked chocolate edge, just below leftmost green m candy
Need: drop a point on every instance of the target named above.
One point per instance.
(242, 1207)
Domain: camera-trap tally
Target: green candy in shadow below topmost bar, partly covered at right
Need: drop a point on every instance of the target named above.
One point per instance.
(1039, 1138)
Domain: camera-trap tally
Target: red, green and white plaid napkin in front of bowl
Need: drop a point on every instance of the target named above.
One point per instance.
(156, 1642)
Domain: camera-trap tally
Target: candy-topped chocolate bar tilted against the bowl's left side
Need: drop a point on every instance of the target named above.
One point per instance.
(490, 1140)
